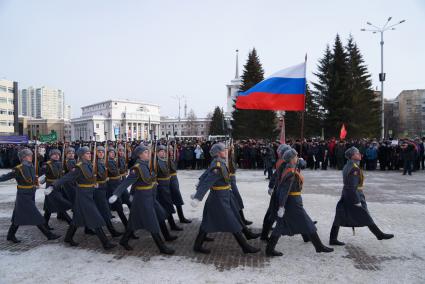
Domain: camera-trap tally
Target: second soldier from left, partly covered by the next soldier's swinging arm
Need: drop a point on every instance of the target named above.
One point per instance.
(55, 201)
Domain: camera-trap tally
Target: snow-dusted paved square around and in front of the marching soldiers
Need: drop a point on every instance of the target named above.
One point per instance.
(396, 202)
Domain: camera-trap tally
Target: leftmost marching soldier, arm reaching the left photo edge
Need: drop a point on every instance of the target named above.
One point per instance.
(25, 211)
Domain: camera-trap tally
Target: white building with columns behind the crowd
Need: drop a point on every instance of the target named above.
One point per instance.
(117, 119)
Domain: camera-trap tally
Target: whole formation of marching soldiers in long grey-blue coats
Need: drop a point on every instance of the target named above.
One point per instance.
(83, 187)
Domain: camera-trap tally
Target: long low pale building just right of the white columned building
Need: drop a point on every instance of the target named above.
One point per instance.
(184, 127)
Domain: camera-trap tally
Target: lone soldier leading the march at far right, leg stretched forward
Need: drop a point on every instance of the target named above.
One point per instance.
(351, 210)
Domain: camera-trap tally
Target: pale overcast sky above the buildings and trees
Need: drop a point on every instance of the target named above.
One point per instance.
(154, 50)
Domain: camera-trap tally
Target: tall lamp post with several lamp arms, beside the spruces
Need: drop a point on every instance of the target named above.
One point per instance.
(374, 29)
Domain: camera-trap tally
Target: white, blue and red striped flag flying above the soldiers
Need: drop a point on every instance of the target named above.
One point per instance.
(284, 90)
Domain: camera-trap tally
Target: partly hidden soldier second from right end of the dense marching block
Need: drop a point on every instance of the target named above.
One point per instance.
(163, 188)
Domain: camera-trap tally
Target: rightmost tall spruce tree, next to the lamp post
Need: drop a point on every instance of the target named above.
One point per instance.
(365, 119)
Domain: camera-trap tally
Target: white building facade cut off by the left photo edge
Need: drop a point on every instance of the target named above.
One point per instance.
(6, 107)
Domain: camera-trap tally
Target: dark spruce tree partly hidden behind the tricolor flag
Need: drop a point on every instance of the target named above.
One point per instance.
(253, 123)
